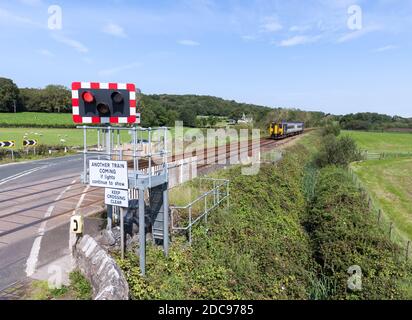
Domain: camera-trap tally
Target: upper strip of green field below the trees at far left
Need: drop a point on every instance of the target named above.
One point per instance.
(35, 119)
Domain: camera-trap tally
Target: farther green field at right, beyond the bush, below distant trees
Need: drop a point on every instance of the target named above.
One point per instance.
(382, 141)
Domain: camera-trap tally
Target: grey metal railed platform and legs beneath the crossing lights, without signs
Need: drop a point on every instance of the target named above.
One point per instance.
(147, 169)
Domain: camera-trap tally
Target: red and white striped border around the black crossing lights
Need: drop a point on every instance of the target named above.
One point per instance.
(79, 116)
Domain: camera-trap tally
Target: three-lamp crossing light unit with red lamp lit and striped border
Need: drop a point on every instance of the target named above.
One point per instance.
(95, 102)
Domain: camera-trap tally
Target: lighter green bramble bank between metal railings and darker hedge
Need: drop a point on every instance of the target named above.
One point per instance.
(257, 250)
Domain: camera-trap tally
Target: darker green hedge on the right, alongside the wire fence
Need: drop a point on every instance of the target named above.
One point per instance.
(344, 233)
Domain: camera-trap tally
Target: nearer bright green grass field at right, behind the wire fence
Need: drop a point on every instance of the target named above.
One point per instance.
(390, 185)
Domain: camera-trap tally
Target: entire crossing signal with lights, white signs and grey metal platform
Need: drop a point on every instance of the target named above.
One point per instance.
(125, 176)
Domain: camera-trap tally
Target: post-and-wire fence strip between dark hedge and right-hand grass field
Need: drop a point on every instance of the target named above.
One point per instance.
(382, 219)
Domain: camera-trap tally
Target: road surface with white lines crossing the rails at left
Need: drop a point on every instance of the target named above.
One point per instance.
(37, 199)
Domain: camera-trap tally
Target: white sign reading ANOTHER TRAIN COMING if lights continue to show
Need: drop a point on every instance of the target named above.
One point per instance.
(108, 174)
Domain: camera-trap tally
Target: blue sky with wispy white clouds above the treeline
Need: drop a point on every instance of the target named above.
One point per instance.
(336, 56)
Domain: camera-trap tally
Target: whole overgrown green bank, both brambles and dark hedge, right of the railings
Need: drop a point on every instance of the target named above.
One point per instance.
(292, 232)
